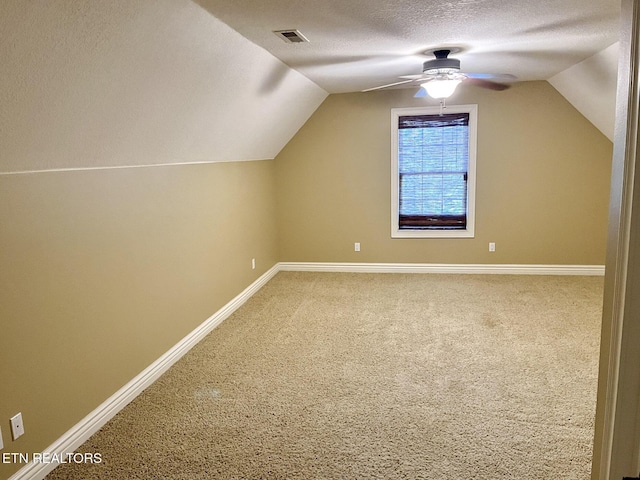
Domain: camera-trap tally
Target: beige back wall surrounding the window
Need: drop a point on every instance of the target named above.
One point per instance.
(542, 182)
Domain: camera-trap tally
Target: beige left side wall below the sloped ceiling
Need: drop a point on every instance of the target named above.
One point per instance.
(102, 271)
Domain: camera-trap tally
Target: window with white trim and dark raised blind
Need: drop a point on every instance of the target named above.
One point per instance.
(433, 171)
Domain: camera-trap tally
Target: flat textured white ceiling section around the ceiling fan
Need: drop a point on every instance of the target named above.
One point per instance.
(359, 44)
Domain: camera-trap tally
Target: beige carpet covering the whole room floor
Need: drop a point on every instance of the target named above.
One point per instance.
(374, 376)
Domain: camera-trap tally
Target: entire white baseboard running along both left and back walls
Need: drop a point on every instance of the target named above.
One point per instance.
(81, 432)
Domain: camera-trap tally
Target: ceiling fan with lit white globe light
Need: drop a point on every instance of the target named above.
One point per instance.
(441, 75)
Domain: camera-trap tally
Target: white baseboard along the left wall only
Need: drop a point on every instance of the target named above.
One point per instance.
(90, 424)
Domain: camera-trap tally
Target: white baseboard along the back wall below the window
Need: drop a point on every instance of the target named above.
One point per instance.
(591, 270)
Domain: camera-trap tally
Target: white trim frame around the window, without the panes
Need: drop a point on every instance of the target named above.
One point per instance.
(469, 232)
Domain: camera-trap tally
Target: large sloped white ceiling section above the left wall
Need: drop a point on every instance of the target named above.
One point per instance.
(118, 83)
